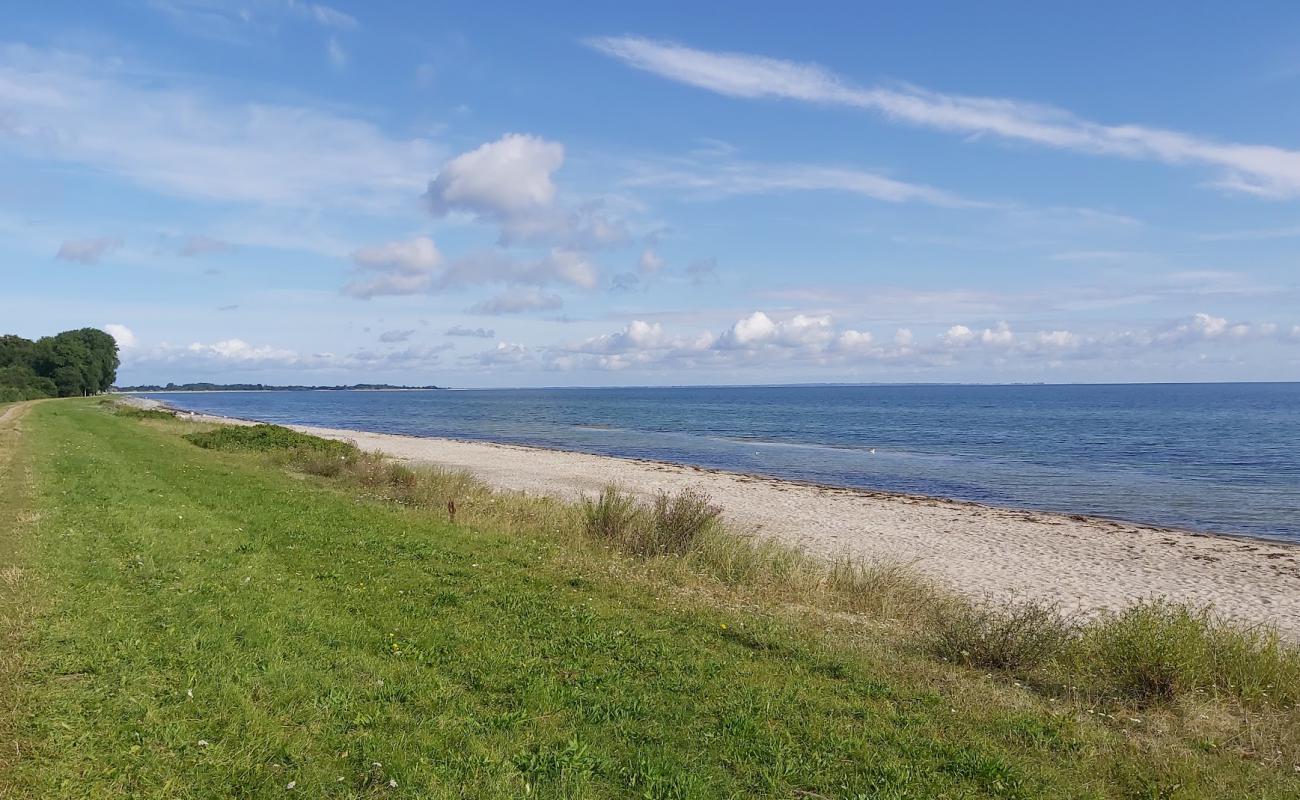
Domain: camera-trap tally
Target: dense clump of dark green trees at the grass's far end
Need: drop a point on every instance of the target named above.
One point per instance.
(67, 365)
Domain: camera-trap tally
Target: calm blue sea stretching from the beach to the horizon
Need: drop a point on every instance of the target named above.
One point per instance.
(1211, 457)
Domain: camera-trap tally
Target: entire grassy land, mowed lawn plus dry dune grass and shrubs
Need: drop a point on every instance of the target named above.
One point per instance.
(280, 615)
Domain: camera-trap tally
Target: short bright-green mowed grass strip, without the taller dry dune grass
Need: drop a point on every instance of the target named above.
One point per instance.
(216, 628)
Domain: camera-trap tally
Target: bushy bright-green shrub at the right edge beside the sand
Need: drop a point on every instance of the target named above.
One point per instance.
(1160, 651)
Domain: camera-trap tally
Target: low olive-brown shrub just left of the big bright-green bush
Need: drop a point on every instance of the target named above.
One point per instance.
(1016, 637)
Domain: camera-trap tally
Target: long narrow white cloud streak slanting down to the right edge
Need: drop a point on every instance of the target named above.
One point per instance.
(1259, 170)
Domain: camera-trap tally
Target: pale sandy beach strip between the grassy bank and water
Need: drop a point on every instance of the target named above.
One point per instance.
(1085, 564)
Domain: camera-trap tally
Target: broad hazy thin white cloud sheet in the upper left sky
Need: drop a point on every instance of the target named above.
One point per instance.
(133, 124)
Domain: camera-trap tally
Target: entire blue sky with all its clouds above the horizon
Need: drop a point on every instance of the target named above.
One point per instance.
(508, 194)
